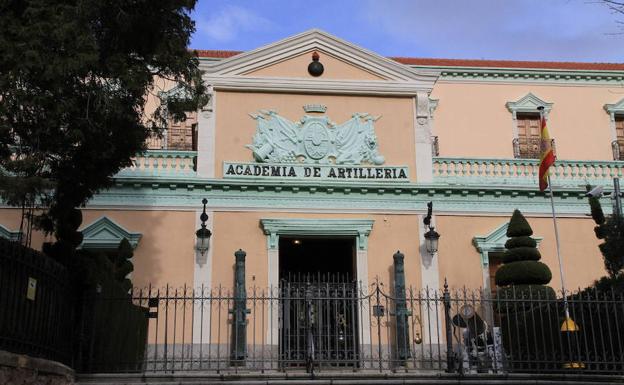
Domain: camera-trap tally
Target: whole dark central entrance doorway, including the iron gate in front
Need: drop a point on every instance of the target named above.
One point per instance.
(318, 302)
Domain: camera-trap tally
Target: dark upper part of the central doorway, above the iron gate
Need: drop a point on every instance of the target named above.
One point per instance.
(330, 257)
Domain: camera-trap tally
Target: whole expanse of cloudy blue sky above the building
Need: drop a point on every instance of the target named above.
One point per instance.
(568, 30)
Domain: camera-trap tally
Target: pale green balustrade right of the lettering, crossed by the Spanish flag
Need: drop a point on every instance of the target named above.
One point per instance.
(523, 171)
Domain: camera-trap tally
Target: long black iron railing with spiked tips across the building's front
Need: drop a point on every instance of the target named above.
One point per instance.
(325, 326)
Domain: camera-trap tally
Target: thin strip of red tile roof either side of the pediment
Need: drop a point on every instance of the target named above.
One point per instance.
(550, 65)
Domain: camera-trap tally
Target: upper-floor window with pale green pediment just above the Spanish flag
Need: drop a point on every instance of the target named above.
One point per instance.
(526, 118)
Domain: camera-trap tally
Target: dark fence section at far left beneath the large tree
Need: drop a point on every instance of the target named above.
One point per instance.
(36, 304)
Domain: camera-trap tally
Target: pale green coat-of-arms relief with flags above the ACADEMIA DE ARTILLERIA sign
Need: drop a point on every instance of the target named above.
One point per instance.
(315, 140)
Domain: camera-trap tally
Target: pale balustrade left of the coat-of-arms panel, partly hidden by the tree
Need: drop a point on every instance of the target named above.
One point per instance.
(167, 163)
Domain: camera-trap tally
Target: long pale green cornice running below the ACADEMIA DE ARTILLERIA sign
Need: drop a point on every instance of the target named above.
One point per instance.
(186, 194)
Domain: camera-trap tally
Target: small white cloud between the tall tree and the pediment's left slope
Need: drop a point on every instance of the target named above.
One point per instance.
(228, 23)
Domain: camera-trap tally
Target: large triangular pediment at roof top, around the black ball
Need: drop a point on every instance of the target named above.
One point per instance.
(289, 58)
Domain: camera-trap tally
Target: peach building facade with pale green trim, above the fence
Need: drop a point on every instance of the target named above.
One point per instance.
(332, 171)
